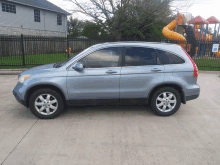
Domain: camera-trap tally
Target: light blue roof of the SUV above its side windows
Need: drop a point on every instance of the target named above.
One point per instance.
(164, 46)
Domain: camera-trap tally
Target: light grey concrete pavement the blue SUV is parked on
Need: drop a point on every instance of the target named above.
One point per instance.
(123, 135)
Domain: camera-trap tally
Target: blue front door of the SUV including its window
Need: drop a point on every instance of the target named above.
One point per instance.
(100, 77)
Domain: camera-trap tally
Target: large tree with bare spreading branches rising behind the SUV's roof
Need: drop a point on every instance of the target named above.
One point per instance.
(116, 16)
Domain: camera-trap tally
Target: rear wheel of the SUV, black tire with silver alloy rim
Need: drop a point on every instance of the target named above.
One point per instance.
(157, 99)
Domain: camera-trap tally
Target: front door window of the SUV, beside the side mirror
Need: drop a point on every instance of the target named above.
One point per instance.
(107, 57)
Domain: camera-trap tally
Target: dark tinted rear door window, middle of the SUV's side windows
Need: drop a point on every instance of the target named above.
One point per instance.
(139, 56)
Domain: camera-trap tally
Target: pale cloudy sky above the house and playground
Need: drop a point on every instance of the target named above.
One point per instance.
(204, 8)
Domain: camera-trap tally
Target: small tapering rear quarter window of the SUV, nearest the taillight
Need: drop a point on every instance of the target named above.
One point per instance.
(169, 58)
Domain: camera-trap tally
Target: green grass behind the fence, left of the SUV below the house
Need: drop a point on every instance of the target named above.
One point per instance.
(31, 59)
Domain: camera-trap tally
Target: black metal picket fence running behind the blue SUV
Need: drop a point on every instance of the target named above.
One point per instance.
(34, 50)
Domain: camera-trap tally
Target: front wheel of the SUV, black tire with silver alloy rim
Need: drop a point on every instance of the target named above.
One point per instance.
(46, 108)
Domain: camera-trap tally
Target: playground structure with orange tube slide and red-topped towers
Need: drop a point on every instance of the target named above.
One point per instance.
(195, 33)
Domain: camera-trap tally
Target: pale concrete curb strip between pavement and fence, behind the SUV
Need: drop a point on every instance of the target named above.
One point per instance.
(18, 71)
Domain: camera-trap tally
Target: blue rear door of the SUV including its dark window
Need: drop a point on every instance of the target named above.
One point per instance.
(141, 71)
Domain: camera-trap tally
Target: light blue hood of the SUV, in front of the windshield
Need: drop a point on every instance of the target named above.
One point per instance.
(39, 69)
